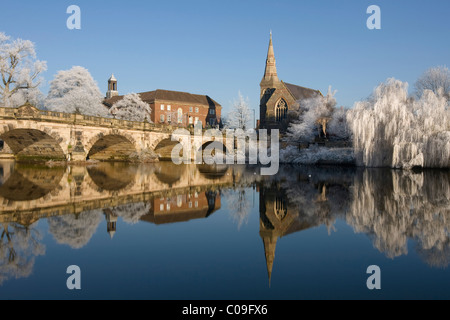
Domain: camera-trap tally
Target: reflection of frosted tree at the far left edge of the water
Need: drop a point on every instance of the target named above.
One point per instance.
(18, 247)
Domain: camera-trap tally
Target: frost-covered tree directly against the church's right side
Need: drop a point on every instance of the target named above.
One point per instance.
(313, 119)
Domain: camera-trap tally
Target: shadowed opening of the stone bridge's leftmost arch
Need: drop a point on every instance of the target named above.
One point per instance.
(38, 143)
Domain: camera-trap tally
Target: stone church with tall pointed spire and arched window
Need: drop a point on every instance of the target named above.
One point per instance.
(278, 99)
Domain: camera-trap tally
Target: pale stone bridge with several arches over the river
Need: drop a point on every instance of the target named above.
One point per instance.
(32, 134)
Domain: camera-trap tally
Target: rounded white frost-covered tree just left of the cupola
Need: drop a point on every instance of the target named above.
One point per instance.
(75, 91)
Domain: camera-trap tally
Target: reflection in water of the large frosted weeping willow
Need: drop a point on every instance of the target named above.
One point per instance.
(392, 206)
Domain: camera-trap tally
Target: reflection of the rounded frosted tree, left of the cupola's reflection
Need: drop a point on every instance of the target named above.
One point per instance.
(75, 230)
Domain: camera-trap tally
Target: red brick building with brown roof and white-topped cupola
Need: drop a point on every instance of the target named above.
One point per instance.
(174, 107)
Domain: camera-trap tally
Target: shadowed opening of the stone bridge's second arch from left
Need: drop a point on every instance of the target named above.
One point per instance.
(111, 147)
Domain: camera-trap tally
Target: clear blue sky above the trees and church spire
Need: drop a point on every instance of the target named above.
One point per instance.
(219, 47)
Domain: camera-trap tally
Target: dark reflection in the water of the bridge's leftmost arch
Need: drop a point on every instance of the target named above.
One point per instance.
(27, 183)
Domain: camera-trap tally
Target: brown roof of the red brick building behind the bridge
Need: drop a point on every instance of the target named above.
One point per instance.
(170, 96)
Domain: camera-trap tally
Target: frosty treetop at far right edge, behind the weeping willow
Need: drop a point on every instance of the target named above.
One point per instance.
(434, 79)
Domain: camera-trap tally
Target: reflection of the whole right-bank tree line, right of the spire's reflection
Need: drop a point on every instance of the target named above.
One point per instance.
(389, 206)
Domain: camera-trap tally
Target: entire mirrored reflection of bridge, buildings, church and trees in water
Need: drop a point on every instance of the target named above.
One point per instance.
(391, 207)
